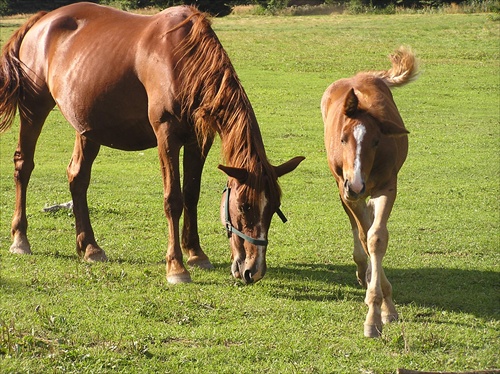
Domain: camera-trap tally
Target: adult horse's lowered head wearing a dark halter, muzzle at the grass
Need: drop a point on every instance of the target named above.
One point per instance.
(248, 204)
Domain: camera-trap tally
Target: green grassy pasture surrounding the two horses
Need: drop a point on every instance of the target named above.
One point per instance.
(59, 314)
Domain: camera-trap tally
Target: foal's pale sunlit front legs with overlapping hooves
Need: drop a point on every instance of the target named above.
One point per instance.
(381, 308)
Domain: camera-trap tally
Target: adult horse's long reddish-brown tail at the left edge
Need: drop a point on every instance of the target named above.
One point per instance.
(11, 74)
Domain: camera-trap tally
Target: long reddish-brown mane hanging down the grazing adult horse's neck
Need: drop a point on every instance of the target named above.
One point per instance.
(214, 101)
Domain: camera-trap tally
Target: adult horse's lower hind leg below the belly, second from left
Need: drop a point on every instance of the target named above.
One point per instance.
(78, 171)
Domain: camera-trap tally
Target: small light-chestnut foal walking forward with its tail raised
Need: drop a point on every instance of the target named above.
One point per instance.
(366, 144)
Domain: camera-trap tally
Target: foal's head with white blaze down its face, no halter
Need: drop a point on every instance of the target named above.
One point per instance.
(361, 135)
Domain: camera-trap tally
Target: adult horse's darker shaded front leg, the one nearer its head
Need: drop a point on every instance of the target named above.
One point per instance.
(194, 159)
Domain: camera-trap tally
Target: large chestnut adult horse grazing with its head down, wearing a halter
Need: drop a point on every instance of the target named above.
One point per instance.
(133, 82)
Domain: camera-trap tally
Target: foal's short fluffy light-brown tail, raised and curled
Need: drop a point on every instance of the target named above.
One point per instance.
(404, 68)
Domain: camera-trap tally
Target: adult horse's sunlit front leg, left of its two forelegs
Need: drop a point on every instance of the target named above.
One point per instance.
(168, 152)
